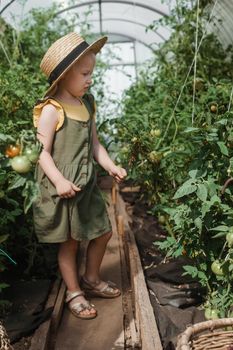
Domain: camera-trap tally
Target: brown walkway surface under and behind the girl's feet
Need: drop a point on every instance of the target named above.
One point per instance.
(106, 332)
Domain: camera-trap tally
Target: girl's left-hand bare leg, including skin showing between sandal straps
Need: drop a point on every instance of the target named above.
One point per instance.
(68, 267)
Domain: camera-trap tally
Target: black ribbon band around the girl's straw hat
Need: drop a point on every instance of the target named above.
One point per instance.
(67, 61)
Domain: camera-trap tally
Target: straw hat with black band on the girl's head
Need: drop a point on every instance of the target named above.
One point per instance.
(63, 53)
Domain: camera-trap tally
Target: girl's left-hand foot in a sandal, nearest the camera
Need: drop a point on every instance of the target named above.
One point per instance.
(79, 306)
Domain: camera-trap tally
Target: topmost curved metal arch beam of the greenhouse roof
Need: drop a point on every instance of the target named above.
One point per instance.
(125, 2)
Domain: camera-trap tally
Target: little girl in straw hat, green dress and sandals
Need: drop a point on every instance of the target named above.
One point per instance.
(70, 207)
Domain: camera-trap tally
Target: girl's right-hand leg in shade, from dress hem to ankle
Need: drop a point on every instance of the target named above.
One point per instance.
(95, 253)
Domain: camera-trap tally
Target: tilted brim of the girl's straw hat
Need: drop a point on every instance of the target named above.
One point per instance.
(95, 47)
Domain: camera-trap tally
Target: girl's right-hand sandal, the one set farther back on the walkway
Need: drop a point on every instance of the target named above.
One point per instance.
(108, 291)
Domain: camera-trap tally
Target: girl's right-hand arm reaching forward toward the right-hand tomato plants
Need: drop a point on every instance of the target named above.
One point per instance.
(102, 157)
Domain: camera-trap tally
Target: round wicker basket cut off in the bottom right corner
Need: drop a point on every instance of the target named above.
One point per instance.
(208, 335)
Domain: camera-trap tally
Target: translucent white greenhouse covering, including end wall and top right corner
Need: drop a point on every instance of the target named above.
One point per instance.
(127, 24)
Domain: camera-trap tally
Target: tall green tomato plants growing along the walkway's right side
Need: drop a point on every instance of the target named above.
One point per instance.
(183, 169)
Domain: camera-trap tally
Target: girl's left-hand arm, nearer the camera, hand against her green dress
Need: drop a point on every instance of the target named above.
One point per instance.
(45, 133)
